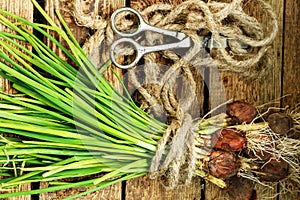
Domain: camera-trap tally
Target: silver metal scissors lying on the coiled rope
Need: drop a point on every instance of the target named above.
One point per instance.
(184, 40)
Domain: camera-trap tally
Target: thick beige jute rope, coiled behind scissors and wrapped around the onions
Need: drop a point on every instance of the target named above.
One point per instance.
(176, 153)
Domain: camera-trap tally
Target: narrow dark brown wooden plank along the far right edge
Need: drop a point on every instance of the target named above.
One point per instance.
(291, 68)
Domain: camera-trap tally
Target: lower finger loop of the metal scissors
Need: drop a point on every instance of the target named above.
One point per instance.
(139, 50)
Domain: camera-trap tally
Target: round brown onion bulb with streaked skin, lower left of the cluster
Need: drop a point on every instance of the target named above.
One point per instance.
(223, 164)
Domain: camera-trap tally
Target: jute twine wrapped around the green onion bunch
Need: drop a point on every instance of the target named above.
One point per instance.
(176, 160)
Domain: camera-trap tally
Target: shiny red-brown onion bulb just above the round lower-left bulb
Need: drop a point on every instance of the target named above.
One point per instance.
(229, 140)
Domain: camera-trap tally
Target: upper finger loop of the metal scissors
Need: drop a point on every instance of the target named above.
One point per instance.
(140, 28)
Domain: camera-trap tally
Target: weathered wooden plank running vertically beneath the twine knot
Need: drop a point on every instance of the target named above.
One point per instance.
(144, 188)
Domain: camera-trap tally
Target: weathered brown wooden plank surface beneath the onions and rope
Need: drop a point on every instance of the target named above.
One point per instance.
(284, 78)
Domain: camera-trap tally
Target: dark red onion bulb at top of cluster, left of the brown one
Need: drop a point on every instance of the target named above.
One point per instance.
(243, 111)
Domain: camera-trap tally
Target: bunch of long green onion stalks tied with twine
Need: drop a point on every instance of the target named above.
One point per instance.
(72, 123)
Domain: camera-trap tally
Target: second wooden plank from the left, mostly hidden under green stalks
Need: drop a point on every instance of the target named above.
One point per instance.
(82, 33)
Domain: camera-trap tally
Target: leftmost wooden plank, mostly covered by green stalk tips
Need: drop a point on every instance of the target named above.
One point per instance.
(23, 8)
